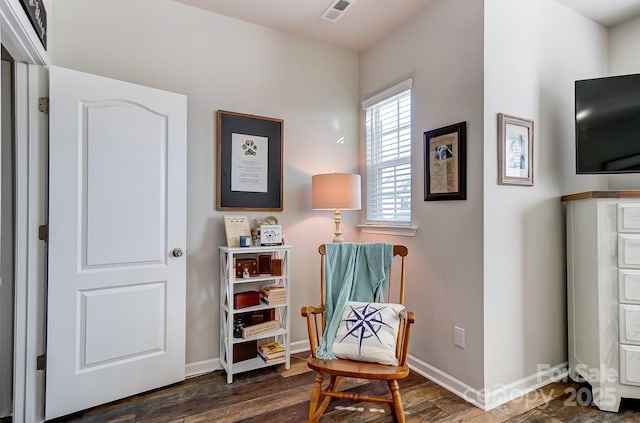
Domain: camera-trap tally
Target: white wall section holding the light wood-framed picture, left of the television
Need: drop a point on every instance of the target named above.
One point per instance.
(534, 51)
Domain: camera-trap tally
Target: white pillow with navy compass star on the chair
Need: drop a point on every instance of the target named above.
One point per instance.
(368, 332)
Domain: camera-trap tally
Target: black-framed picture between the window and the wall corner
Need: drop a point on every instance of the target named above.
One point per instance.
(445, 158)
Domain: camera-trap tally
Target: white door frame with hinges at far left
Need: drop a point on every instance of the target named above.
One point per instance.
(19, 38)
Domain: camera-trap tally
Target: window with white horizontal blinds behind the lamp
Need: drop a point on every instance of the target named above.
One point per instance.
(388, 132)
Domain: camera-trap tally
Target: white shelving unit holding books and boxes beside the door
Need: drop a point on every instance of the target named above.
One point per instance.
(230, 285)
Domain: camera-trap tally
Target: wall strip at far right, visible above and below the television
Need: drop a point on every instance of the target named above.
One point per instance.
(623, 60)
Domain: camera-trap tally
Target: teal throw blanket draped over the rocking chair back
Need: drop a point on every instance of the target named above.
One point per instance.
(353, 272)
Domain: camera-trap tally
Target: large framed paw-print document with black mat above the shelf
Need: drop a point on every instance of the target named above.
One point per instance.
(249, 162)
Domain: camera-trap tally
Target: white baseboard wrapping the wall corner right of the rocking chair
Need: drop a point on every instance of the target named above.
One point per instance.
(488, 399)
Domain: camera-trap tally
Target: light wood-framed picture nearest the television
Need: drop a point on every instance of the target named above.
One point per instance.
(515, 150)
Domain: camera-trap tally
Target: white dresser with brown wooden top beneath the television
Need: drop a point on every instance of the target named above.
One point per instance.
(603, 293)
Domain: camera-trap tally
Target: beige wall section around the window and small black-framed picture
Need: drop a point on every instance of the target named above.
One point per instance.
(441, 49)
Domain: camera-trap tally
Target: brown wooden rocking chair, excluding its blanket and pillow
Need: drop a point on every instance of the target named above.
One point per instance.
(339, 368)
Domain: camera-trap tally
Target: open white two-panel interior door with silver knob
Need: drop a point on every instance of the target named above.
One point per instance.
(117, 211)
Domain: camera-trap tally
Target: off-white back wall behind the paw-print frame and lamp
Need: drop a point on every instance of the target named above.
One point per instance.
(222, 63)
